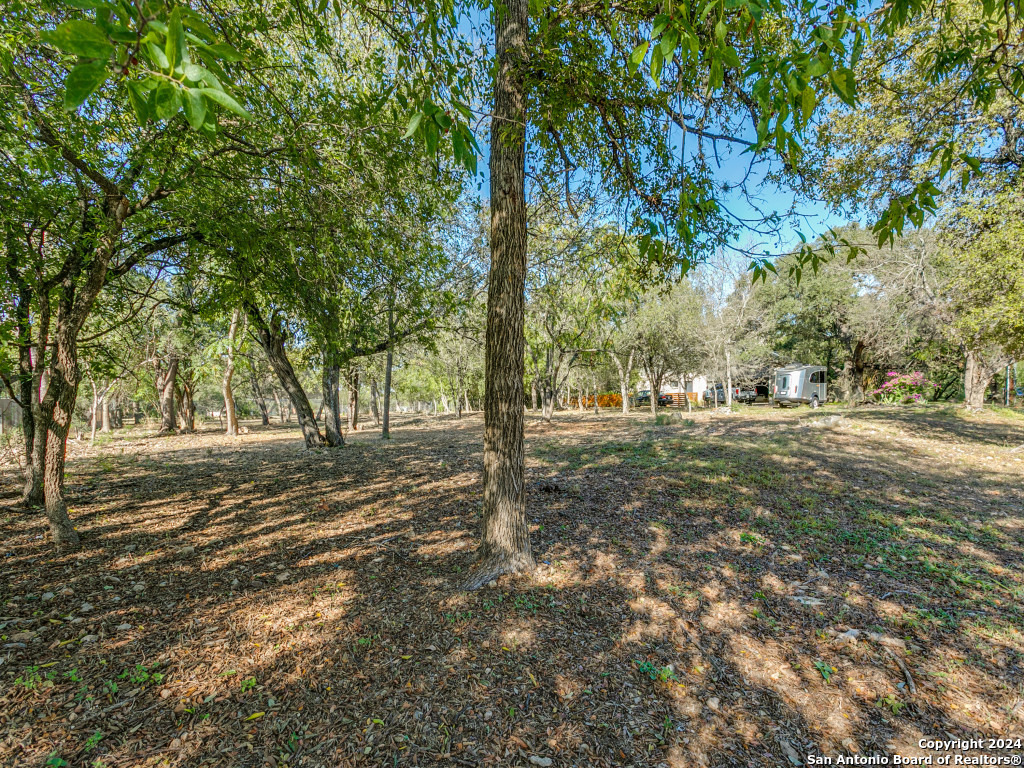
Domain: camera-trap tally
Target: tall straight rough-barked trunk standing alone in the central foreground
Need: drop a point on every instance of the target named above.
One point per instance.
(505, 535)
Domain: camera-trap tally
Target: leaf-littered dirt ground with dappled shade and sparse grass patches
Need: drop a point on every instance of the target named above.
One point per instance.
(722, 590)
